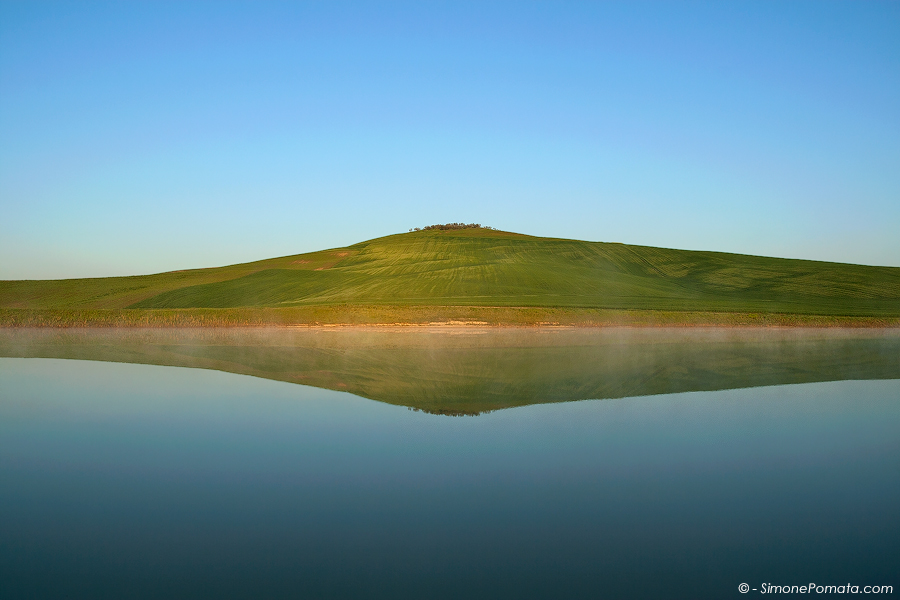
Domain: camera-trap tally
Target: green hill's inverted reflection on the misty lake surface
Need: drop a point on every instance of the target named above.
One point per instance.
(475, 370)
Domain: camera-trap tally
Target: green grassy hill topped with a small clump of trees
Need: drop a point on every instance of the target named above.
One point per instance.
(483, 267)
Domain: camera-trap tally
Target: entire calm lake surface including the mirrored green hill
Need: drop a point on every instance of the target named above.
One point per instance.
(446, 463)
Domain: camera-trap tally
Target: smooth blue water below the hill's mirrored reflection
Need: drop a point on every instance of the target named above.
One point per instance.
(140, 481)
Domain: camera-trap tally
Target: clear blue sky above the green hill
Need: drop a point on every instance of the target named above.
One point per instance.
(146, 137)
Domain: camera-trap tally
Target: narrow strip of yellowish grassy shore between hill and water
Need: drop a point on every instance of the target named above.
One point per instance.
(406, 317)
